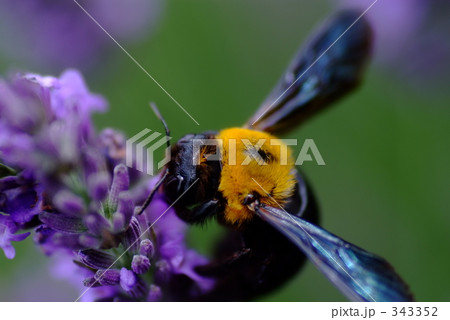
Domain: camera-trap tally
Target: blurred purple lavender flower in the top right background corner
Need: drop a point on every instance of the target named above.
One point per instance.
(411, 37)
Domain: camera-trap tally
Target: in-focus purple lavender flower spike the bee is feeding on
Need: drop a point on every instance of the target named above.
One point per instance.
(70, 185)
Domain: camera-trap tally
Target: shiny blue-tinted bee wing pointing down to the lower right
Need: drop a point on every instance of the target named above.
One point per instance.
(358, 274)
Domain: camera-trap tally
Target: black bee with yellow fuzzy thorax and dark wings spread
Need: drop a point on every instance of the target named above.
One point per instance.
(256, 191)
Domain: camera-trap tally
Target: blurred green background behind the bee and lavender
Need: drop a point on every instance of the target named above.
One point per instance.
(385, 186)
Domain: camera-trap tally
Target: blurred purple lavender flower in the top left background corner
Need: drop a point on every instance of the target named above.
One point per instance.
(57, 34)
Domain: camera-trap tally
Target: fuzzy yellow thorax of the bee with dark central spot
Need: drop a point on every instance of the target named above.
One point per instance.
(240, 171)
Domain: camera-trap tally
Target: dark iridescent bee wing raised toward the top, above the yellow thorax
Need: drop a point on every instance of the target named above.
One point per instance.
(328, 67)
